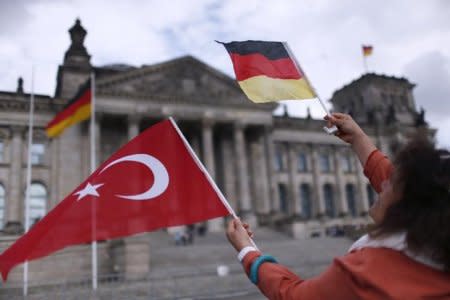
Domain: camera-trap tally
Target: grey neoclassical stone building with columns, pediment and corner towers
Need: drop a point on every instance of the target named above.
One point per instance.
(275, 171)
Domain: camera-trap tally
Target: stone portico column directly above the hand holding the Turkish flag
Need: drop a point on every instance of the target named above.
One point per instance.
(242, 172)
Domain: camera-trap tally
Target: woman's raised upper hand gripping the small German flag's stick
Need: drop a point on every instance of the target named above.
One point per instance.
(348, 131)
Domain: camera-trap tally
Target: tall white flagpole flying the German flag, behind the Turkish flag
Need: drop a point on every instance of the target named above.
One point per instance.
(93, 164)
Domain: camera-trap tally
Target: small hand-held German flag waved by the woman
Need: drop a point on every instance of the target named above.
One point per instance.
(266, 71)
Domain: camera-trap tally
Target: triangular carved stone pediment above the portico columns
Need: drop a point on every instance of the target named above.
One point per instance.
(185, 79)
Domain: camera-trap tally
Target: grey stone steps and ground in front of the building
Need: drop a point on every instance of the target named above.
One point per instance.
(190, 272)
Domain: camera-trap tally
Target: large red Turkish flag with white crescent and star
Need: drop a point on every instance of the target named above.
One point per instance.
(150, 183)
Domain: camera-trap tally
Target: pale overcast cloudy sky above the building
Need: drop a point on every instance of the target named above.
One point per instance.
(410, 39)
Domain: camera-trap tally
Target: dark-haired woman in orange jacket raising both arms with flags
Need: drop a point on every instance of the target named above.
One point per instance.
(407, 253)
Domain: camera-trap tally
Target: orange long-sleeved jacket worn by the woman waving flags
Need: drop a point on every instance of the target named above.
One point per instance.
(369, 273)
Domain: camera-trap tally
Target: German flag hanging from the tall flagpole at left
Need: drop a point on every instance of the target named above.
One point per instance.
(78, 109)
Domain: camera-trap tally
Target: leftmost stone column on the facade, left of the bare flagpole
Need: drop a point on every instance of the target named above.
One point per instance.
(15, 190)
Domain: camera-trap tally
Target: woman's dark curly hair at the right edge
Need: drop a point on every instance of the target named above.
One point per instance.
(423, 177)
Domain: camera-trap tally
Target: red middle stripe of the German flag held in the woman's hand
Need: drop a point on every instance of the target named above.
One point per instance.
(246, 66)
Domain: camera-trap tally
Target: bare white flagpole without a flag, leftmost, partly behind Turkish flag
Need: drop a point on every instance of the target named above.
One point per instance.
(27, 193)
